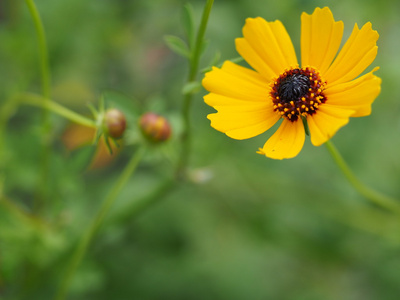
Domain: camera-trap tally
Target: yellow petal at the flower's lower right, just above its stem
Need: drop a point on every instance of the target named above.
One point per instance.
(326, 122)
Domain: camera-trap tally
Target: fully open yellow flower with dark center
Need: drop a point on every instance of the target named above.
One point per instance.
(325, 92)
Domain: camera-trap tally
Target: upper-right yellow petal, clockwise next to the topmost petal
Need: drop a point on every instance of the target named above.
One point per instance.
(356, 55)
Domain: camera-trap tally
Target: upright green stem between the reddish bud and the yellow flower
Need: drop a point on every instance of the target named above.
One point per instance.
(187, 101)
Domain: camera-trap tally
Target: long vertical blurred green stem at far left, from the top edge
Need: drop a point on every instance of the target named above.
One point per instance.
(46, 125)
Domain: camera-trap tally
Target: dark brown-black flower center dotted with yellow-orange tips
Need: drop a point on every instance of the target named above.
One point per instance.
(298, 92)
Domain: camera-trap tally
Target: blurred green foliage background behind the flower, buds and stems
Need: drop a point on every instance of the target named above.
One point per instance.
(247, 227)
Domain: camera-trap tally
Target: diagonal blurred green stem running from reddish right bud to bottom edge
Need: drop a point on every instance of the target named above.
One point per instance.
(91, 231)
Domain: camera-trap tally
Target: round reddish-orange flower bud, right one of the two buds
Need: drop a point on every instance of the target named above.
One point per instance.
(155, 127)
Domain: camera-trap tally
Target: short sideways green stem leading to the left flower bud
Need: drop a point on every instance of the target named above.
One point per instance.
(44, 103)
